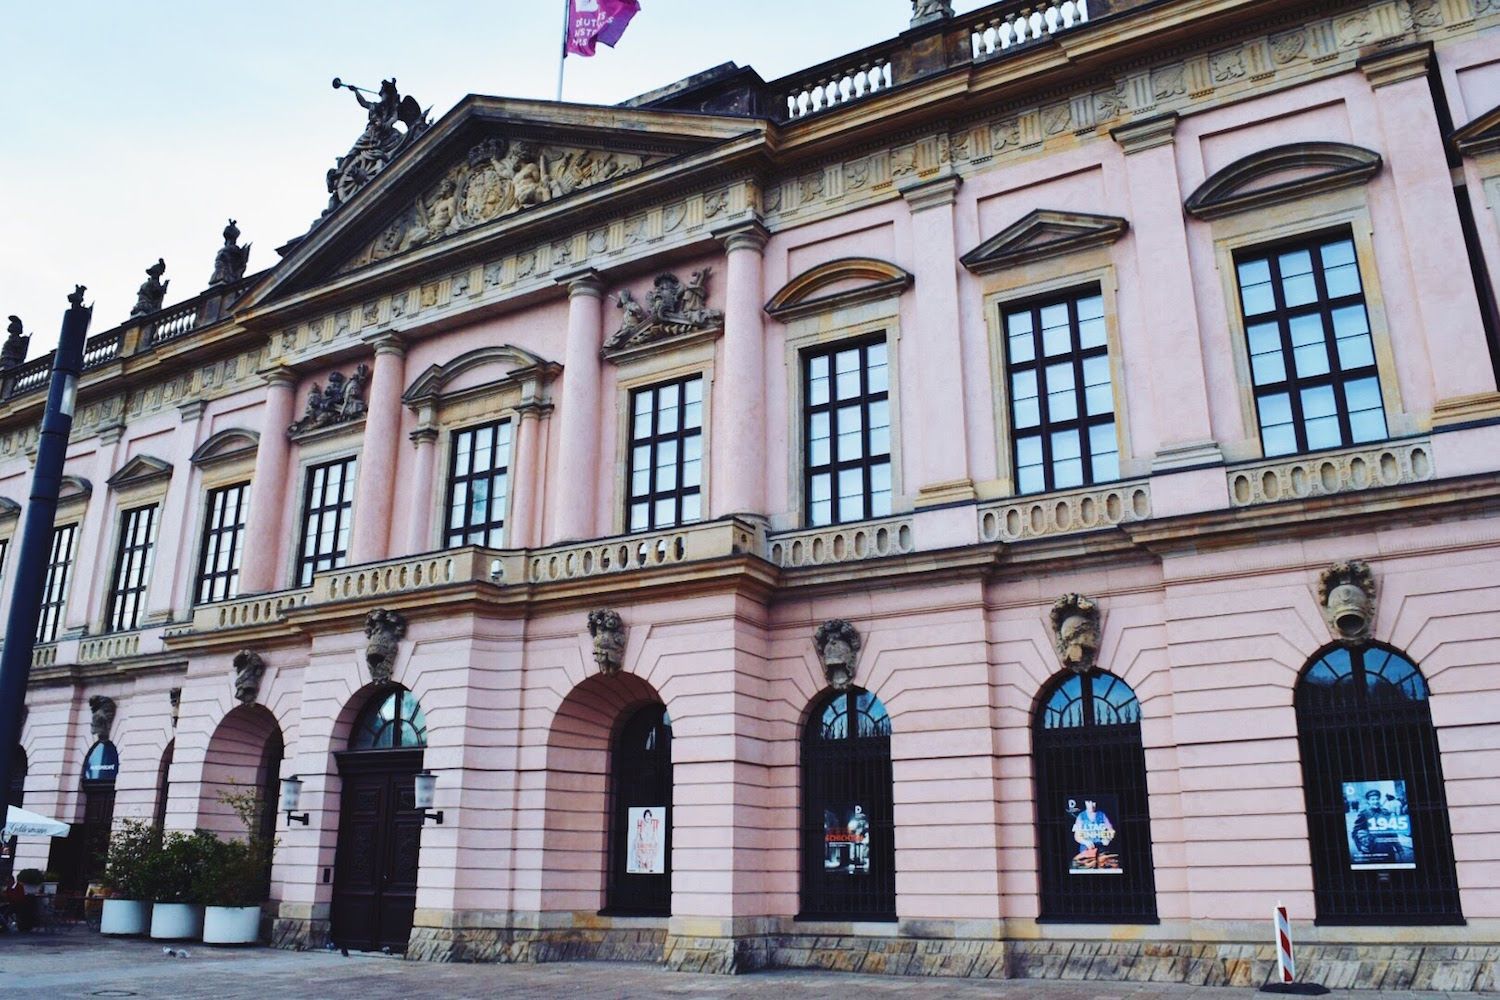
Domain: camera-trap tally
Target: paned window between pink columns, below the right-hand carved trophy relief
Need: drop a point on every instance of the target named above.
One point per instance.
(667, 455)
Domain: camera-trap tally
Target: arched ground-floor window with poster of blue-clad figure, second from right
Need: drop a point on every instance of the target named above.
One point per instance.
(1093, 816)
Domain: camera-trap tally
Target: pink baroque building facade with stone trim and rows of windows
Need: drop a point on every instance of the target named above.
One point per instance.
(1015, 501)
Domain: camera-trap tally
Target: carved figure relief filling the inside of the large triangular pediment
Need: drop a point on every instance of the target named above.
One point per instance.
(499, 178)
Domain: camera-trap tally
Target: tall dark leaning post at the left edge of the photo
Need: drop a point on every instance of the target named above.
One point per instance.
(37, 536)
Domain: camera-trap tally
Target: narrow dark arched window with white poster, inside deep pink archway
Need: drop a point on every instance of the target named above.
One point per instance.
(641, 816)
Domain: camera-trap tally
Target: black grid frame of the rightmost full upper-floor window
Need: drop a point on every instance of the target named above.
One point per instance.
(1294, 385)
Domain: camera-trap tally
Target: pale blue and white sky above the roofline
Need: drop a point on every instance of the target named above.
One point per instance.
(134, 131)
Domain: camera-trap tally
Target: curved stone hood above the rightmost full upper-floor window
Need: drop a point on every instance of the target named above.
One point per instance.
(1280, 175)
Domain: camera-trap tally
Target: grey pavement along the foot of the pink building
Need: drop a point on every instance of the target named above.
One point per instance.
(83, 965)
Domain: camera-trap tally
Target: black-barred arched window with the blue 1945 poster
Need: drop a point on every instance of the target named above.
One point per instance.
(1378, 816)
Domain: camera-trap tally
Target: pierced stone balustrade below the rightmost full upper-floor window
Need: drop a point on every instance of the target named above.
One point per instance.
(1331, 473)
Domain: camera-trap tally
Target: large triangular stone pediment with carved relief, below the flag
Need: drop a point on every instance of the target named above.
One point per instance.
(494, 169)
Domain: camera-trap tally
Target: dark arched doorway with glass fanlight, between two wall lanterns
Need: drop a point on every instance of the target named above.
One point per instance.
(380, 828)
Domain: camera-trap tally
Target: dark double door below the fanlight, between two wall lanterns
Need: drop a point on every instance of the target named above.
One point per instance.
(380, 843)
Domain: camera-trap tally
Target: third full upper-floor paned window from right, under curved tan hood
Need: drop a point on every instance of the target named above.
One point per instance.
(848, 431)
